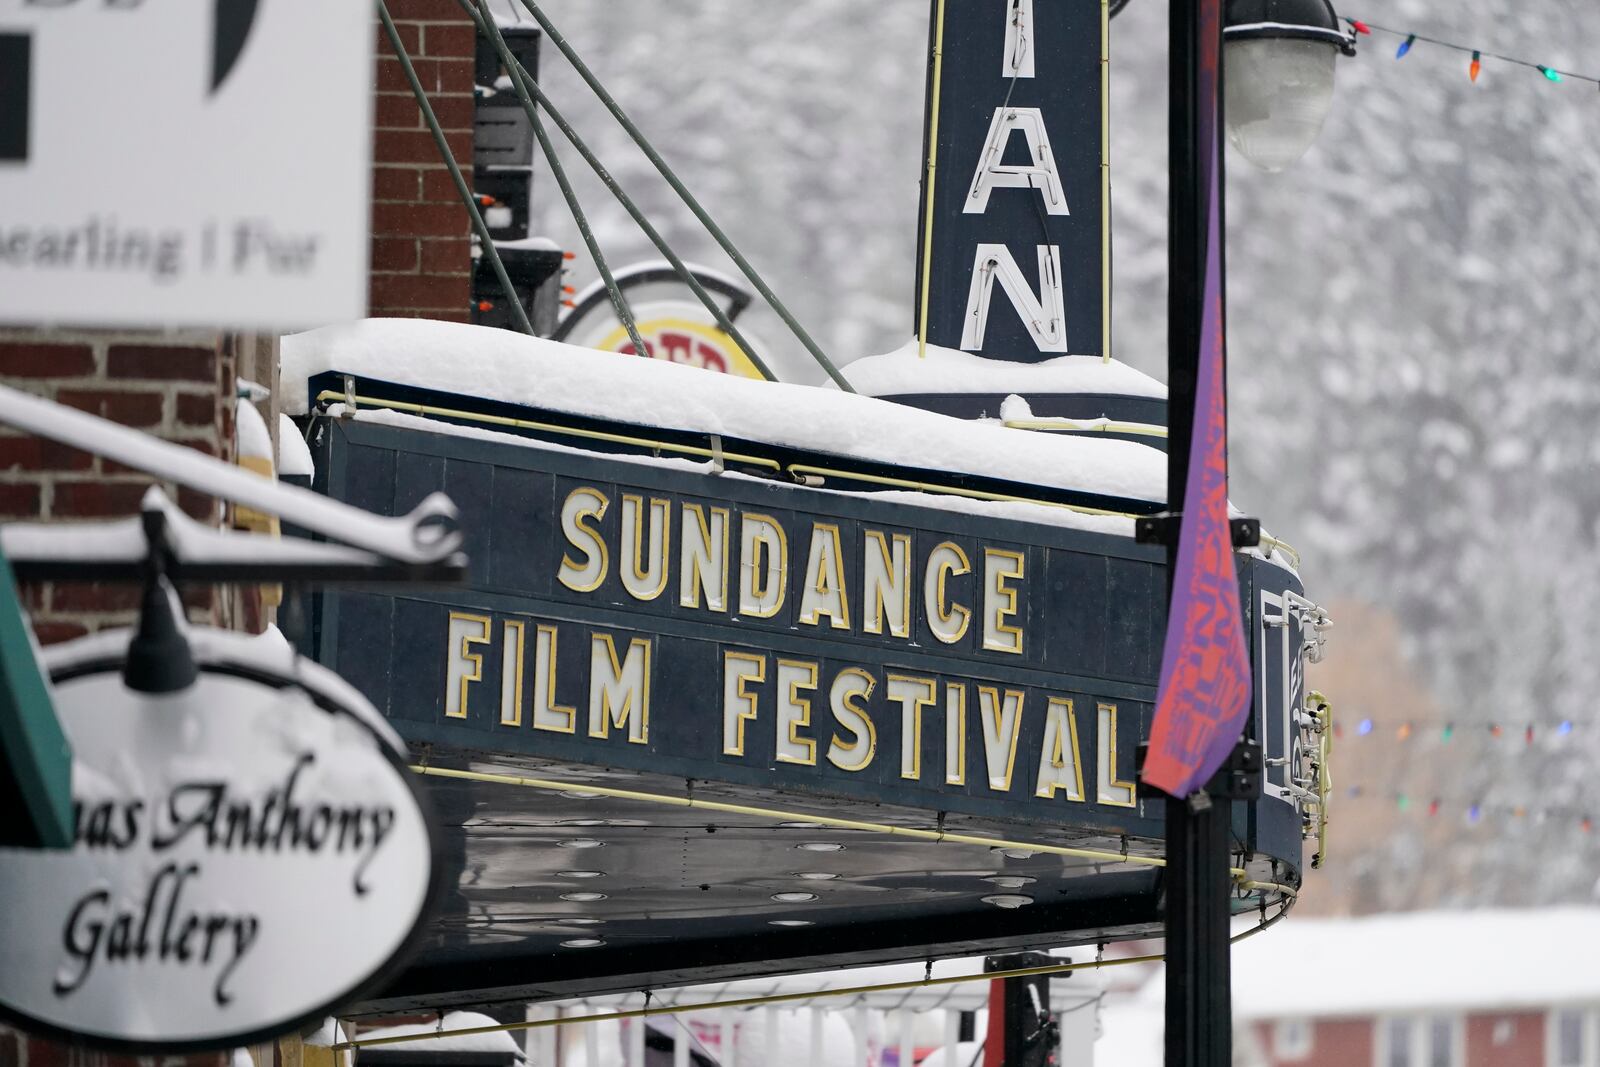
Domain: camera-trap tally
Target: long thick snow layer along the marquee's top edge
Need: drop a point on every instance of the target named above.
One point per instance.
(503, 366)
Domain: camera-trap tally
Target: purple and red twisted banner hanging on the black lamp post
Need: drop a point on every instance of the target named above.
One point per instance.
(1204, 697)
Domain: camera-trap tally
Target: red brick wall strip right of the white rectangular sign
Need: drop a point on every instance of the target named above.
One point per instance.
(422, 249)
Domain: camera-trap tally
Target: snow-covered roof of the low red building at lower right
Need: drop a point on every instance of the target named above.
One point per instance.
(1417, 962)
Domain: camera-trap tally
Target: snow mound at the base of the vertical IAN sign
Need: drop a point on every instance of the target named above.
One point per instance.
(946, 370)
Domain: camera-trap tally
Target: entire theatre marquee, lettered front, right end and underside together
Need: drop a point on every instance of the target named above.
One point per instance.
(660, 628)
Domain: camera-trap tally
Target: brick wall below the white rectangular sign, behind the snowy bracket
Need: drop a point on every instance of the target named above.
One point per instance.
(175, 386)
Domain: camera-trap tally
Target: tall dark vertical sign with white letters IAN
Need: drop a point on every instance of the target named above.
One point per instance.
(1015, 210)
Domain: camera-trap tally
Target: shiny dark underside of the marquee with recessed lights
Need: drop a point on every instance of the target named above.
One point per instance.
(689, 893)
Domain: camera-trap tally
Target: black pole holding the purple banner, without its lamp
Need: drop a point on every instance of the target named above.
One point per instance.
(1199, 1009)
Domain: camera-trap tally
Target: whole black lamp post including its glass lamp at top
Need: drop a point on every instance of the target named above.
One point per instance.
(1276, 78)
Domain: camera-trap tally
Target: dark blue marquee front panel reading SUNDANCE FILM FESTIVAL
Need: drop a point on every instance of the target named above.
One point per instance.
(633, 615)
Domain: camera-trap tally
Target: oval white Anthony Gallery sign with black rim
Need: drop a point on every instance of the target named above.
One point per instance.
(249, 853)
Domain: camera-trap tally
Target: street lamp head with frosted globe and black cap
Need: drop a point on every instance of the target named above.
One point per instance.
(1279, 68)
